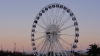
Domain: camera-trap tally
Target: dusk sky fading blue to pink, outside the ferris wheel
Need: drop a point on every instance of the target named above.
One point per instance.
(17, 16)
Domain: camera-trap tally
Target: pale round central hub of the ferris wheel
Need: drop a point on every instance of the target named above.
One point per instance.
(52, 32)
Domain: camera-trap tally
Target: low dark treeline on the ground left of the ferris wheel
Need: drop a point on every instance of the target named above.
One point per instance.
(9, 53)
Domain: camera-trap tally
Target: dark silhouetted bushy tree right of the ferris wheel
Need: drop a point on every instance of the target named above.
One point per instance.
(94, 50)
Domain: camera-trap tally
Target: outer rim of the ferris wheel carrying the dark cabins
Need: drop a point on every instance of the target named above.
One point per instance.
(74, 19)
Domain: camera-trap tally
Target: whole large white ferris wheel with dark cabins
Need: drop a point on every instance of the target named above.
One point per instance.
(54, 31)
